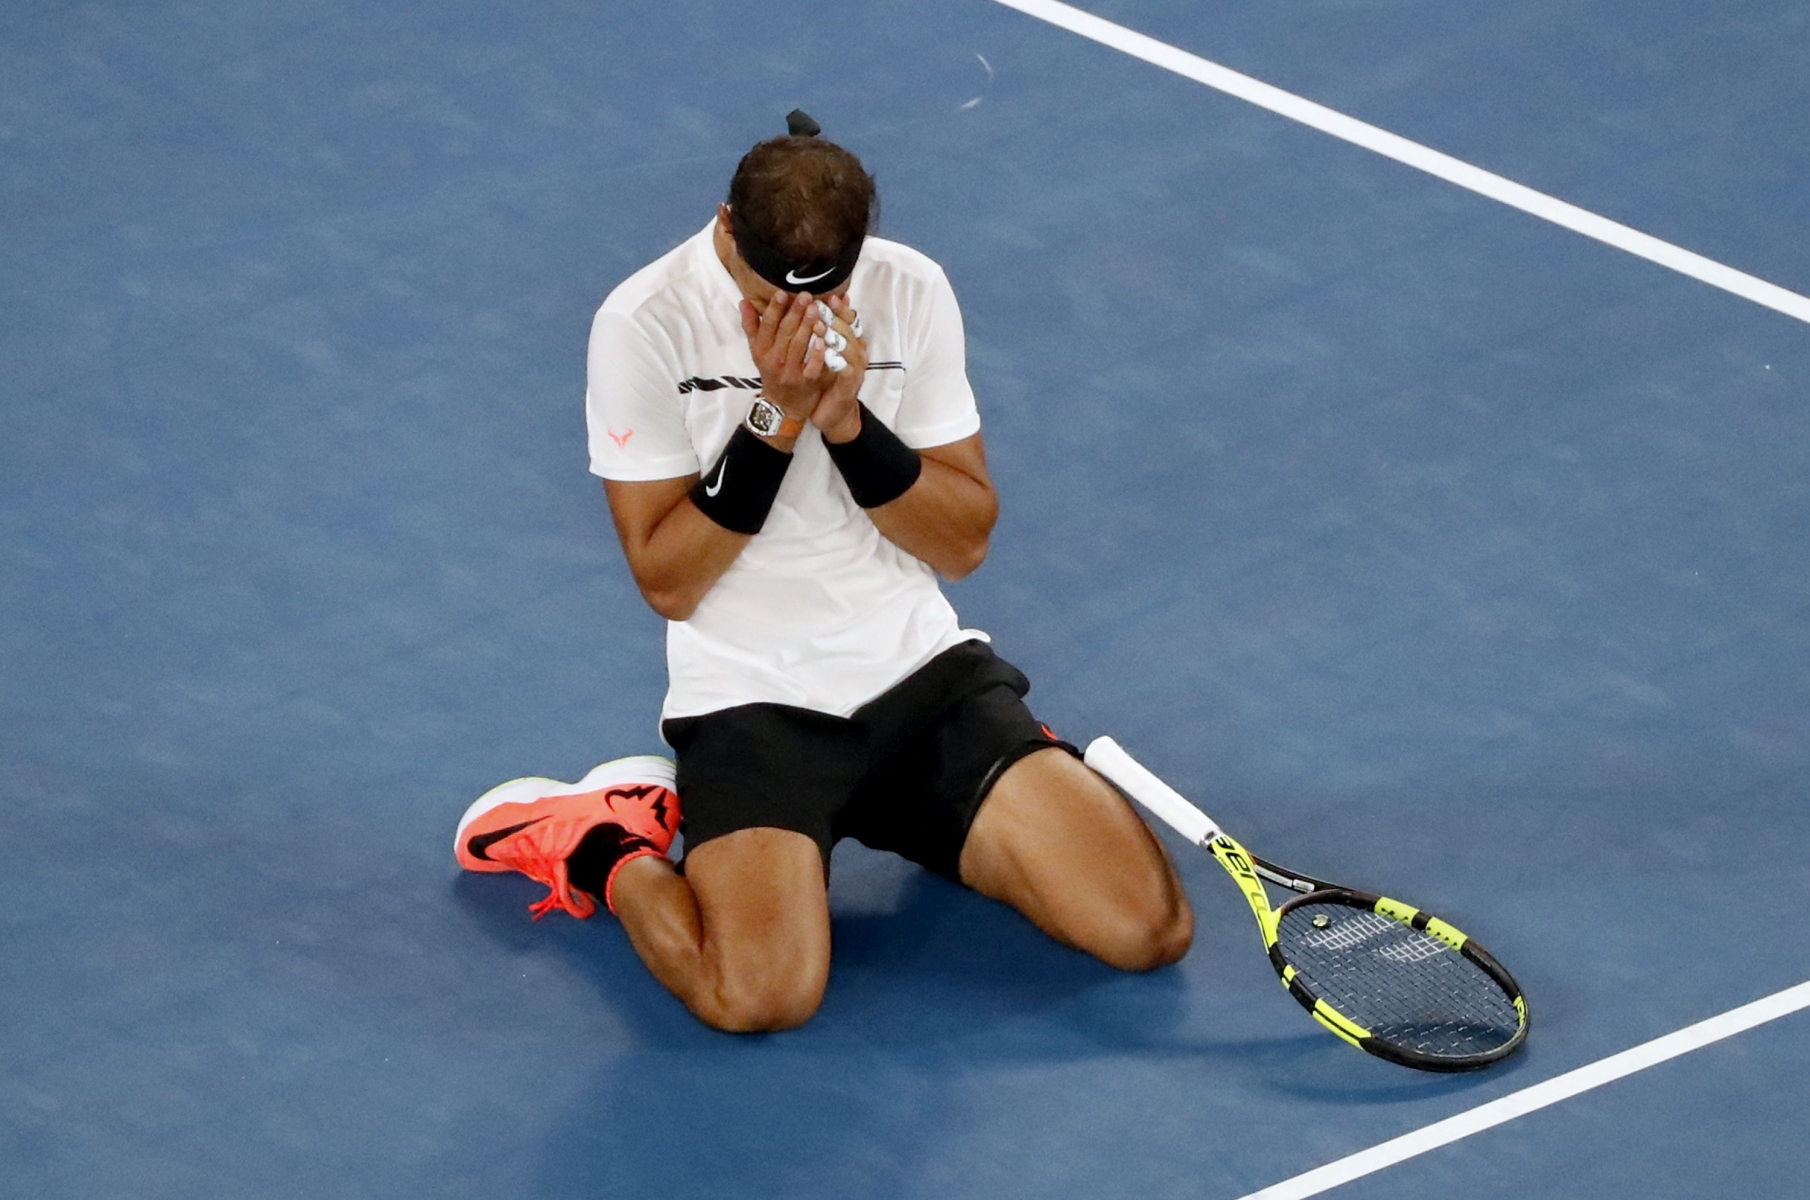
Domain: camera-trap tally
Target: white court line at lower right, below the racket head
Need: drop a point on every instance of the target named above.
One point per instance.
(1538, 1098)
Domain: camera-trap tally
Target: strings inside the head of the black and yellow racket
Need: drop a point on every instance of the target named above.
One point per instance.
(1404, 986)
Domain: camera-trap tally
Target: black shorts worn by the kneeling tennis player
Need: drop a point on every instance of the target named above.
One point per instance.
(904, 774)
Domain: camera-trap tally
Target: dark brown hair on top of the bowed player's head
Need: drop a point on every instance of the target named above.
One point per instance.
(805, 196)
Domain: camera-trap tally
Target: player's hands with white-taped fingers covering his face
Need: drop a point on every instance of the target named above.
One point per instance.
(788, 339)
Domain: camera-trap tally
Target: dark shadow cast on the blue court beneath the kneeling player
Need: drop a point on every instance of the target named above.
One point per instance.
(940, 1005)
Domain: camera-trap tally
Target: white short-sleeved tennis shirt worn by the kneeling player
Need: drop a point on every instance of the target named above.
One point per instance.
(819, 611)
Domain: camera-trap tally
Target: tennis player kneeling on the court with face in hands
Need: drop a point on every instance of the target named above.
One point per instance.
(790, 520)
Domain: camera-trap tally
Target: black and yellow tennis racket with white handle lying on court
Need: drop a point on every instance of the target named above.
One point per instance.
(1382, 975)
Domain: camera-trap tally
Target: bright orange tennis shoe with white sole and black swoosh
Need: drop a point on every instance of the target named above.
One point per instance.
(620, 812)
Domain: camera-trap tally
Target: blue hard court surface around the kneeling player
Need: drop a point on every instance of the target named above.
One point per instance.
(1425, 544)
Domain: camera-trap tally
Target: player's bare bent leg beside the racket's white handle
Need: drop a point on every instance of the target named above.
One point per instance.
(1058, 844)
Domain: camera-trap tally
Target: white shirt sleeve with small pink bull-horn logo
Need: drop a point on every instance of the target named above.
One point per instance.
(633, 410)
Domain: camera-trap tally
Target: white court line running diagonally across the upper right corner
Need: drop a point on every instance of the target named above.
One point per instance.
(1415, 155)
